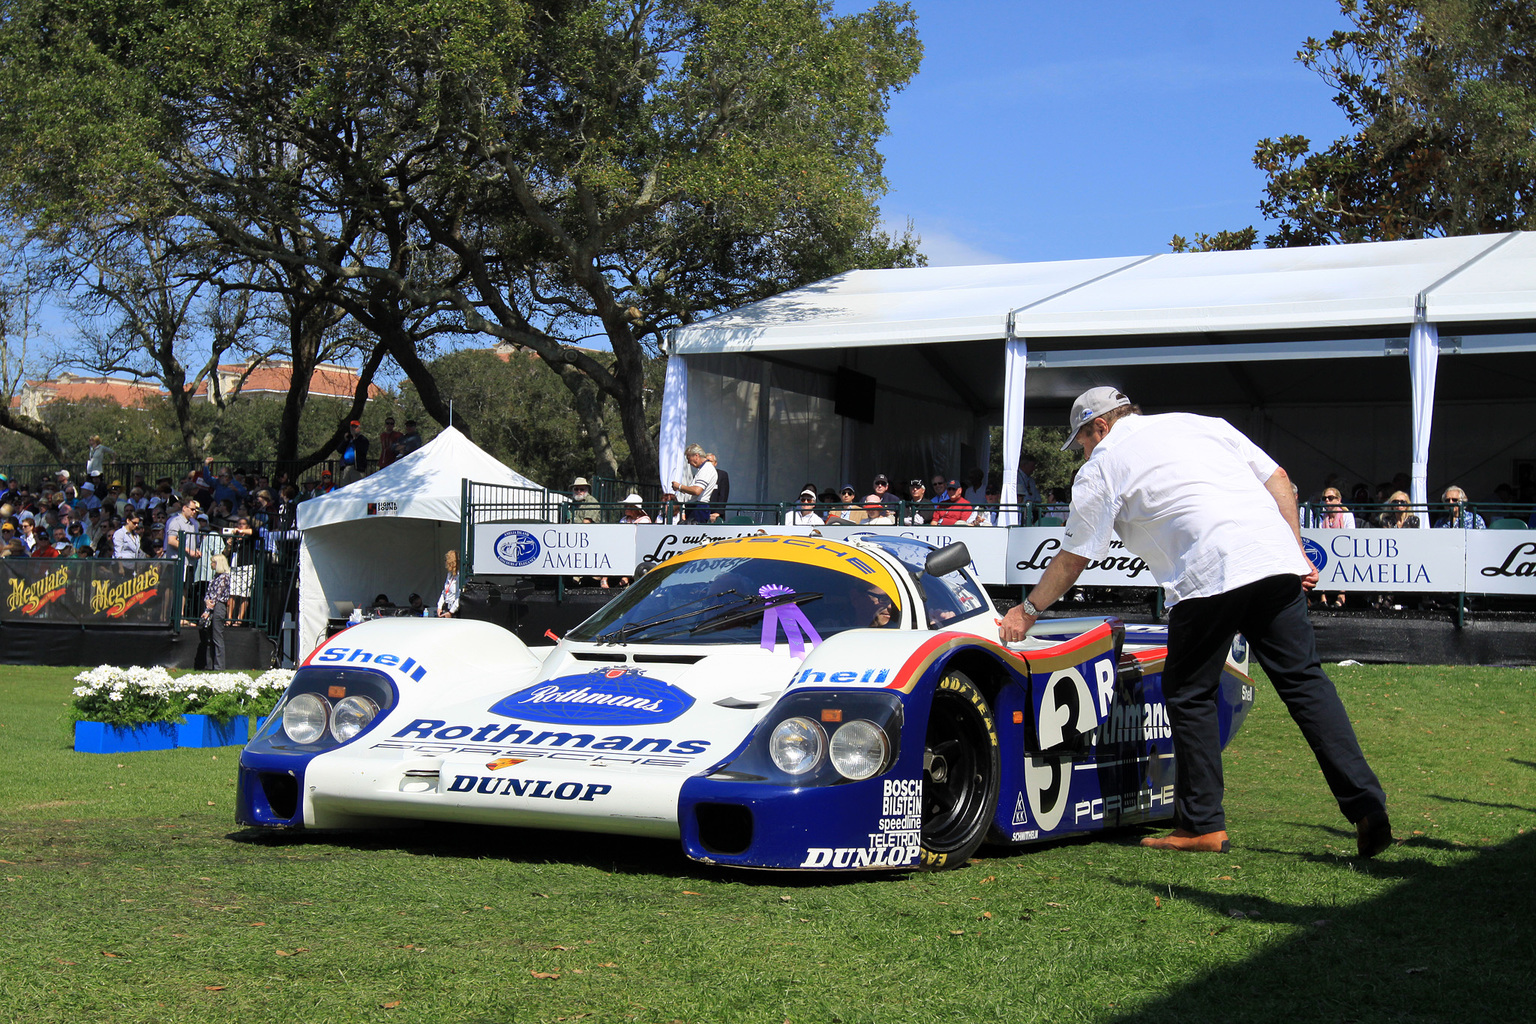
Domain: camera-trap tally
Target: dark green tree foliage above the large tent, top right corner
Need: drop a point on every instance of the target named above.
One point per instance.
(1442, 99)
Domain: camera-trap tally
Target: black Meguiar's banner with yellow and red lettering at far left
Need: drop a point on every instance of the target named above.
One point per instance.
(87, 592)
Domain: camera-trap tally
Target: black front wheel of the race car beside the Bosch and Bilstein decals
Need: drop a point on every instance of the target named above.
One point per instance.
(961, 773)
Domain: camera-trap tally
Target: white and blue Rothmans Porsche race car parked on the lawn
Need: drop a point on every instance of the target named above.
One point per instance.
(781, 702)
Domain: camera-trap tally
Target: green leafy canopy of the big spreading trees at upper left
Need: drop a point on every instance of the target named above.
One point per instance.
(537, 173)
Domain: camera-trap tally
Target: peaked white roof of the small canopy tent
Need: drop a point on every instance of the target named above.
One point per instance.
(426, 484)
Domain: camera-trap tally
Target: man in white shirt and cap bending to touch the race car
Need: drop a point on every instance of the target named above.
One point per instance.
(1216, 521)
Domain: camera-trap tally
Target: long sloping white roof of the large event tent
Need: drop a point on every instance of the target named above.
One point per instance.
(1452, 280)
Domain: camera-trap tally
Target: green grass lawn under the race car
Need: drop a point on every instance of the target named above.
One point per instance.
(130, 894)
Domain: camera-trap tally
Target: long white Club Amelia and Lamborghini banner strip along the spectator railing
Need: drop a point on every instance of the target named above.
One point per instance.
(1379, 561)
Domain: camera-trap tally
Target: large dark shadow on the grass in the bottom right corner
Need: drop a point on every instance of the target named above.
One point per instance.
(1451, 943)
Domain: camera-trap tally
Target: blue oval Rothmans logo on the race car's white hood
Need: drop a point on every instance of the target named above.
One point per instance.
(615, 696)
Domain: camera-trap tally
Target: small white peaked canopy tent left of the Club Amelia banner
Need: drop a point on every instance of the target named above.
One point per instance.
(389, 532)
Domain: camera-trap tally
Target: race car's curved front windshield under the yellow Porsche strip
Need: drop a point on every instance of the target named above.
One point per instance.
(726, 600)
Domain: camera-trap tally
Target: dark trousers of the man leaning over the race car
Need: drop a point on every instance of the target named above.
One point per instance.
(1273, 615)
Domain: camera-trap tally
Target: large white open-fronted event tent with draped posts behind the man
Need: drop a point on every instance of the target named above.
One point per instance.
(1329, 357)
